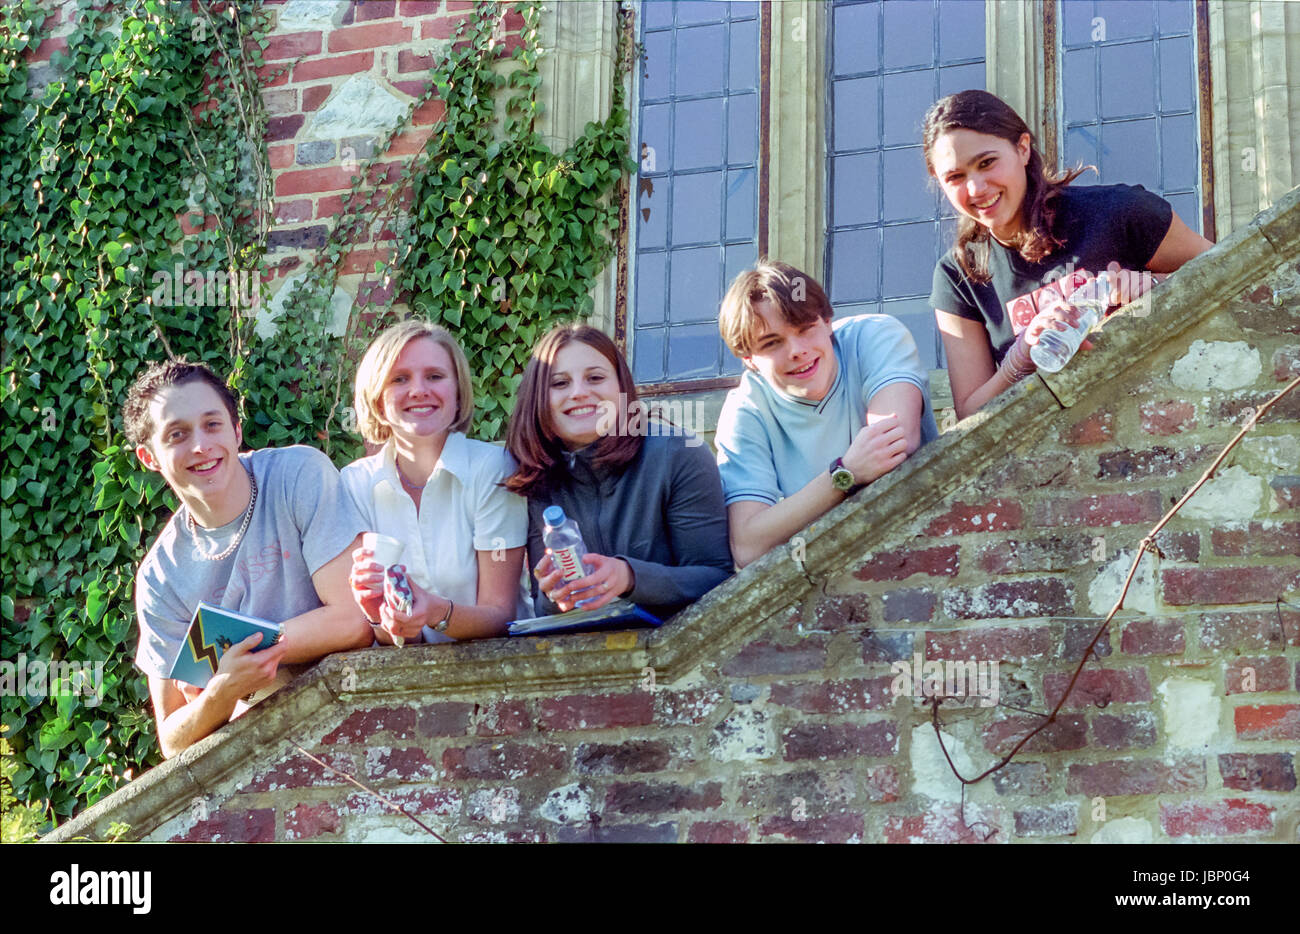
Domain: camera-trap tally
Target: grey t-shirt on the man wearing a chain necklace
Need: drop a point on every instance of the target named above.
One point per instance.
(301, 522)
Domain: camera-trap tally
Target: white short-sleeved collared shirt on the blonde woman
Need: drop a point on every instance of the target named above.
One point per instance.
(463, 511)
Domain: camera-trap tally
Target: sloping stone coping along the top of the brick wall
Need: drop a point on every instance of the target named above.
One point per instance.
(743, 604)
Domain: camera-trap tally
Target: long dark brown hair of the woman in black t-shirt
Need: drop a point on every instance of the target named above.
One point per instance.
(985, 113)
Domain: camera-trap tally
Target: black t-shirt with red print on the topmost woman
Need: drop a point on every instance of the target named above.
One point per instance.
(1100, 224)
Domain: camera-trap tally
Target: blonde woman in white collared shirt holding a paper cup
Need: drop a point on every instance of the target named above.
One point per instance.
(436, 491)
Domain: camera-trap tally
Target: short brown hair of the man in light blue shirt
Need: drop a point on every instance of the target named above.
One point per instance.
(799, 297)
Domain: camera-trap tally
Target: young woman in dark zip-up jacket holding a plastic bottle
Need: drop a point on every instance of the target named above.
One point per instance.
(649, 504)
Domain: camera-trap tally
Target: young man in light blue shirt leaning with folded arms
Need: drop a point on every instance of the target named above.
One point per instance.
(822, 410)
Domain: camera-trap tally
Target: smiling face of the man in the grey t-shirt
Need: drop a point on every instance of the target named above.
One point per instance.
(194, 444)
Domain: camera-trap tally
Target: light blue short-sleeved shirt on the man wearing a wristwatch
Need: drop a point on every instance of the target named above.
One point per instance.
(772, 446)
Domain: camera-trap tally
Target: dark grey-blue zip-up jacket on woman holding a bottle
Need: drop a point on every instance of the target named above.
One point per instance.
(664, 514)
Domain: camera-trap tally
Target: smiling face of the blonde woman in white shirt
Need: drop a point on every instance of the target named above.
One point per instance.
(419, 397)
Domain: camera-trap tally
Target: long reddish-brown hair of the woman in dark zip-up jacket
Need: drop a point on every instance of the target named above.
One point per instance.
(531, 438)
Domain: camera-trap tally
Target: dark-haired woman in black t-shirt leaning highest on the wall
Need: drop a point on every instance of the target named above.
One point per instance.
(1024, 231)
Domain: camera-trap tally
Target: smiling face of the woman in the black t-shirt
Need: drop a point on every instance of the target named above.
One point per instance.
(983, 178)
